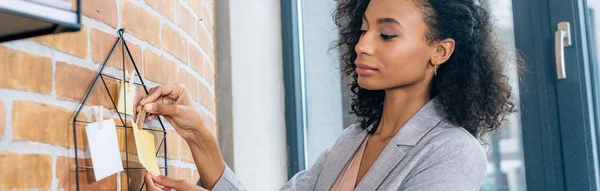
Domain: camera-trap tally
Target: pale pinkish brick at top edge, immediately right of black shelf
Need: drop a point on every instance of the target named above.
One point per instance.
(104, 11)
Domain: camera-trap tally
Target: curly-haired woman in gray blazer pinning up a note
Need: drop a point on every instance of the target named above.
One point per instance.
(428, 82)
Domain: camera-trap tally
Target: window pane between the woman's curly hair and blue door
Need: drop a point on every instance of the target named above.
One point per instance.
(506, 169)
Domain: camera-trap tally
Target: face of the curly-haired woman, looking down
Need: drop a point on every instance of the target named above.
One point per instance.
(393, 50)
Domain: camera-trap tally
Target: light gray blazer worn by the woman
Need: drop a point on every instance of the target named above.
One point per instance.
(426, 154)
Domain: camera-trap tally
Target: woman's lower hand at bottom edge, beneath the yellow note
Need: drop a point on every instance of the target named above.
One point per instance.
(168, 184)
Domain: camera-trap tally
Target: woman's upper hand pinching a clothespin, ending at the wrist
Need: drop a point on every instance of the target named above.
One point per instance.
(176, 105)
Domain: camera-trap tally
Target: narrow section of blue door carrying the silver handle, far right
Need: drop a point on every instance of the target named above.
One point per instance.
(573, 47)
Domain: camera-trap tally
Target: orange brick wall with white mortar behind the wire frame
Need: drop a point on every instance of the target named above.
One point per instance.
(43, 80)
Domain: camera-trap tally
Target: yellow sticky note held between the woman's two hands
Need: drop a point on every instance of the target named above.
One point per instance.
(144, 141)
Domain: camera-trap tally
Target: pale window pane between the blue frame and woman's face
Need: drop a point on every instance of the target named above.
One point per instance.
(322, 74)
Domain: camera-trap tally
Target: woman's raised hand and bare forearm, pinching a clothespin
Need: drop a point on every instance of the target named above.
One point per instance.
(176, 105)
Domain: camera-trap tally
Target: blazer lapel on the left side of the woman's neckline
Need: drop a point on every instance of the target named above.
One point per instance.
(339, 156)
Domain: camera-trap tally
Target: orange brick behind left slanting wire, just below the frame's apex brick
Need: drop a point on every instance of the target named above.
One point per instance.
(73, 83)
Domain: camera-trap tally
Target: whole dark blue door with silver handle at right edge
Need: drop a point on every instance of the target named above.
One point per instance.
(559, 94)
